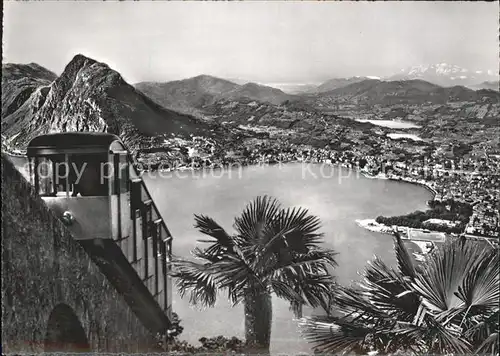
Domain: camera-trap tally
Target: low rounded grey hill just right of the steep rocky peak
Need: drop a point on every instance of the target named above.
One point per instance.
(192, 94)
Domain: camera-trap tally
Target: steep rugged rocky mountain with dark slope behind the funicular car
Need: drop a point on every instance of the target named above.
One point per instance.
(87, 96)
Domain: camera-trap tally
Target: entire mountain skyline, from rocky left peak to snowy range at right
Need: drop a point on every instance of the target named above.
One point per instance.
(90, 96)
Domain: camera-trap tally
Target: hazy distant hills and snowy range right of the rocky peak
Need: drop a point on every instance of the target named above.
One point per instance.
(194, 94)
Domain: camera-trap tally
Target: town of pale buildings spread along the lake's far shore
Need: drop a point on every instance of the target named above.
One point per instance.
(472, 177)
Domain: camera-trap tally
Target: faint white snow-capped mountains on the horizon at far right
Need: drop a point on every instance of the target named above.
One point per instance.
(446, 75)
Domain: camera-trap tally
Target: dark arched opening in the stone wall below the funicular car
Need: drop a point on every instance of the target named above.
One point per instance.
(65, 332)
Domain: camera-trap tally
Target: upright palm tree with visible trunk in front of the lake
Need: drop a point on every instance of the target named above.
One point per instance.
(274, 250)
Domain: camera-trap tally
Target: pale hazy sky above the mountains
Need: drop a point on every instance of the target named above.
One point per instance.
(267, 42)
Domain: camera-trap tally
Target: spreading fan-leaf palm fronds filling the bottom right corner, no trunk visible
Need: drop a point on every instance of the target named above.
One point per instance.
(449, 304)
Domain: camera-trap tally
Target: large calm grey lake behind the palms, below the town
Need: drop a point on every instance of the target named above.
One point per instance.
(336, 195)
